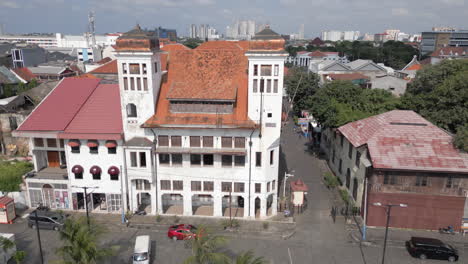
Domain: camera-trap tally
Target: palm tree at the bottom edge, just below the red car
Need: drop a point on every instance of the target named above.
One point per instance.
(204, 248)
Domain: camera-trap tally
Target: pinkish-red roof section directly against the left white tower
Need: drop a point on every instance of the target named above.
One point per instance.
(99, 118)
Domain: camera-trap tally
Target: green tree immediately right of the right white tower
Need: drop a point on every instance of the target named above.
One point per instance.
(300, 85)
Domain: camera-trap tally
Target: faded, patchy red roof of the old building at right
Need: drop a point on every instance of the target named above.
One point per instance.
(404, 140)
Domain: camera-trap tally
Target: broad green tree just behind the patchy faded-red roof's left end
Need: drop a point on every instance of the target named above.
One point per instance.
(341, 102)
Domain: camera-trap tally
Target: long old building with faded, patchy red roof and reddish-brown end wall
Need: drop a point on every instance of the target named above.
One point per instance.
(399, 157)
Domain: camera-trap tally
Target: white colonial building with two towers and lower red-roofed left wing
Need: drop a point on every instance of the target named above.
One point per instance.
(184, 132)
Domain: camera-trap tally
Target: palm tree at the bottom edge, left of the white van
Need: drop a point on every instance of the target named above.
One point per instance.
(80, 243)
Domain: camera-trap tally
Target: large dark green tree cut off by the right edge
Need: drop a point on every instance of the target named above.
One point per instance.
(440, 94)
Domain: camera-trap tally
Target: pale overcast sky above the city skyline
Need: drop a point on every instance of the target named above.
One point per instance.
(284, 16)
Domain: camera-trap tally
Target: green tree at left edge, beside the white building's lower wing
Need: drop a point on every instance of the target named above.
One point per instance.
(11, 175)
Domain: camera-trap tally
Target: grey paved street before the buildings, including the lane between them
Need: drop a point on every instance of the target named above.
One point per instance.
(317, 238)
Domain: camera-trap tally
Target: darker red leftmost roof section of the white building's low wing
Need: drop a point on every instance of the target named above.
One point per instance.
(57, 110)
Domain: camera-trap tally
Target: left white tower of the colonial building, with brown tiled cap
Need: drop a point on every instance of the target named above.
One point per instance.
(139, 72)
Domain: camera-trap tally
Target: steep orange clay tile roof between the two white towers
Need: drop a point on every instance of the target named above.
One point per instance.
(191, 74)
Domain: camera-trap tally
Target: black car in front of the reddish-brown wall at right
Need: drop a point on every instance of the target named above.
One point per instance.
(431, 248)
